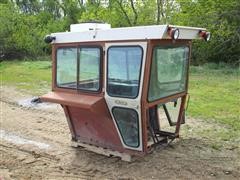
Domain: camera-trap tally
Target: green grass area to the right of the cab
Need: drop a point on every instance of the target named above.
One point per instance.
(215, 95)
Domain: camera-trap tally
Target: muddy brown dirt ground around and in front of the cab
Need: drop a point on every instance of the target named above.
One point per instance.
(35, 144)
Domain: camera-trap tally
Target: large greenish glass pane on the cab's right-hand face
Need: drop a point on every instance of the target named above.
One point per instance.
(168, 71)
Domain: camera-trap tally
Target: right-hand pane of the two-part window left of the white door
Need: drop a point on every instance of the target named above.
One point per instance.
(89, 69)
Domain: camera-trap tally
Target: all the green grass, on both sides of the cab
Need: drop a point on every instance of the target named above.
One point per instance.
(214, 90)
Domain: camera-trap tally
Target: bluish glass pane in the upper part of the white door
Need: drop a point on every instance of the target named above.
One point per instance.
(124, 69)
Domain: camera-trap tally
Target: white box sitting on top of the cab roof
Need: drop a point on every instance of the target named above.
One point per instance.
(89, 27)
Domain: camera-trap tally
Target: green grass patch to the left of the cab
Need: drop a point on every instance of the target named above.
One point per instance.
(31, 76)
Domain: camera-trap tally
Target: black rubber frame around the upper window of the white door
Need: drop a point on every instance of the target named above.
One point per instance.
(140, 72)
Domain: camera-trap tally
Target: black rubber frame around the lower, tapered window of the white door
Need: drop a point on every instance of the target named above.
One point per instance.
(119, 107)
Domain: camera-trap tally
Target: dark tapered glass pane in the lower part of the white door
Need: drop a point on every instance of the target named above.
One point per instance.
(127, 122)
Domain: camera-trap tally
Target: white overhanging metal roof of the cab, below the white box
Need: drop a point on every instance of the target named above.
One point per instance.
(126, 33)
